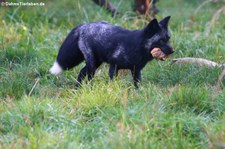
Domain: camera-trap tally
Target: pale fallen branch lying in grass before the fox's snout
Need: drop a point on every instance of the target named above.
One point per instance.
(198, 61)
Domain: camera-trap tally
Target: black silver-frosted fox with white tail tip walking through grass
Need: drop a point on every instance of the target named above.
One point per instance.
(100, 42)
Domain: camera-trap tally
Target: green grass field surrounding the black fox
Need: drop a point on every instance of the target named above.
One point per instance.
(176, 106)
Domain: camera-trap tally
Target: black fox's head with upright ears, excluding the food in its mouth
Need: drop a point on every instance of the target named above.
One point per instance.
(158, 36)
